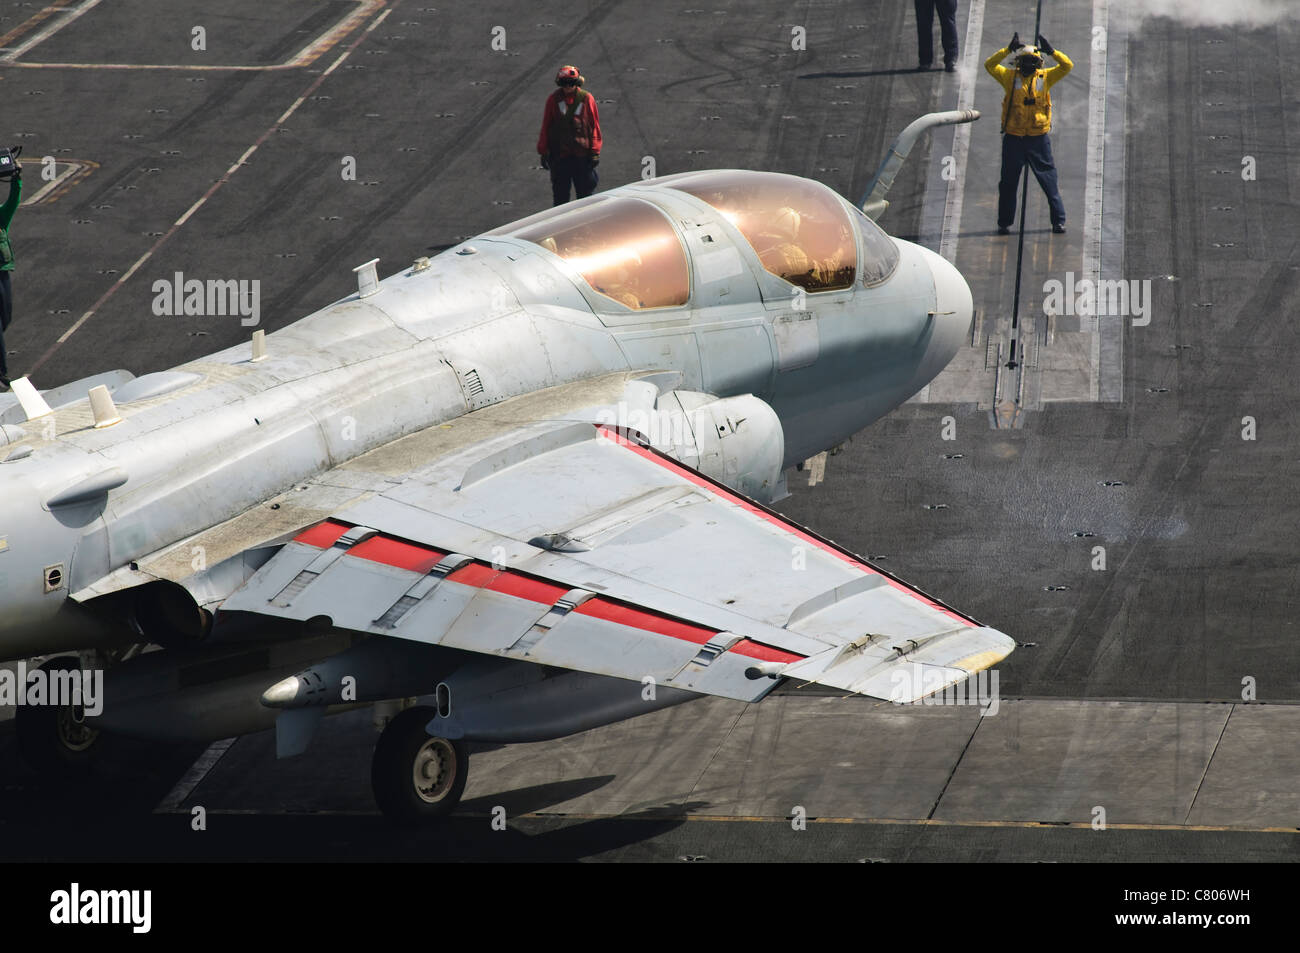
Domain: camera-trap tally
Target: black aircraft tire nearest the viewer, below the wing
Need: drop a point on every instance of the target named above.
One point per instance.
(418, 778)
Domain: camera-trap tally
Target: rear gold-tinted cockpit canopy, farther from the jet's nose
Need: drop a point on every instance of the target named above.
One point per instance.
(625, 249)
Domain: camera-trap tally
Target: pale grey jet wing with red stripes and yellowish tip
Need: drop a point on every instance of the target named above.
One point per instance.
(567, 544)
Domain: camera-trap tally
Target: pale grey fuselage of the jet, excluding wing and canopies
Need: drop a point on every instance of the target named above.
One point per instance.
(496, 318)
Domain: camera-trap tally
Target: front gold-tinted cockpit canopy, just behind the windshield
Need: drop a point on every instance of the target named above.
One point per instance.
(799, 228)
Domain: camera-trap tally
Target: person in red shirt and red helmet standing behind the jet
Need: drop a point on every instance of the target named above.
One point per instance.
(570, 142)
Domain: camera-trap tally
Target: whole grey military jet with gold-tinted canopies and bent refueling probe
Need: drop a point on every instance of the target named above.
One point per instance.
(527, 480)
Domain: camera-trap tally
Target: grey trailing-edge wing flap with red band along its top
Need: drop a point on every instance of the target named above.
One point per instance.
(483, 609)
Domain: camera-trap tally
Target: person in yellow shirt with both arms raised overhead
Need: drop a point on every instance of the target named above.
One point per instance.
(1026, 123)
